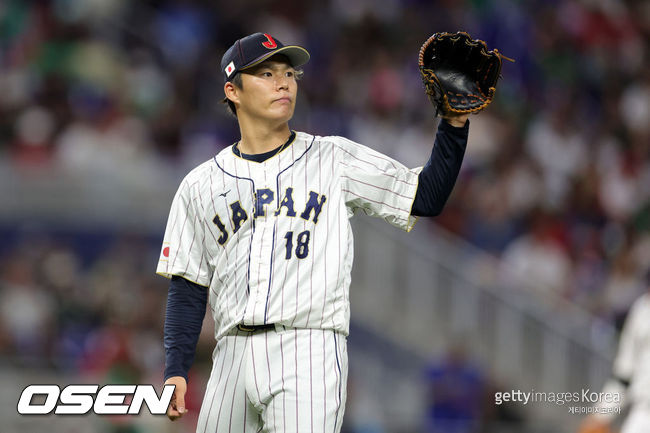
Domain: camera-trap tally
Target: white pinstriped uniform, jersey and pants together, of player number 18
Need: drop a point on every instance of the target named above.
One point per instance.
(293, 271)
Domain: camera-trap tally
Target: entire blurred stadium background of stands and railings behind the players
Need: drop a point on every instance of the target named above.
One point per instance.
(522, 283)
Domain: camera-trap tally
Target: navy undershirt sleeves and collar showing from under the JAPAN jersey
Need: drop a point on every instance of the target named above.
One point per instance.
(187, 301)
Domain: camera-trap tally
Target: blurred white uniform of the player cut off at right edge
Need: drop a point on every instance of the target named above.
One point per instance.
(632, 363)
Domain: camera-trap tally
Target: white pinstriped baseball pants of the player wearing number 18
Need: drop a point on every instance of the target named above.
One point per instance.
(285, 380)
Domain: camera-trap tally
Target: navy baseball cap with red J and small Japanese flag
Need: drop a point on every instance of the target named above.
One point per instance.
(254, 49)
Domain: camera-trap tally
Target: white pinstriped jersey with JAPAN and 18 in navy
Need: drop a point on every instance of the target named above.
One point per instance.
(272, 240)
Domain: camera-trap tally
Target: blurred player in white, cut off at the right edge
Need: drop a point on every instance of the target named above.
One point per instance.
(631, 374)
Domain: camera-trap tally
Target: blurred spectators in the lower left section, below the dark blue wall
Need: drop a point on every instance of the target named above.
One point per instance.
(82, 304)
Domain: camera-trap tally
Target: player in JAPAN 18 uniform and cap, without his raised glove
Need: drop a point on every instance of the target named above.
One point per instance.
(261, 234)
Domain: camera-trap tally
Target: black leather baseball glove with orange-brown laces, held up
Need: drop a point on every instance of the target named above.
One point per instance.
(459, 73)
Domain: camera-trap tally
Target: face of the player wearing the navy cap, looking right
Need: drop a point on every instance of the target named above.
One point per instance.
(268, 91)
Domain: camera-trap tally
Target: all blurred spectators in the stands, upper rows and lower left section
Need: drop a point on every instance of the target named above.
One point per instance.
(556, 180)
